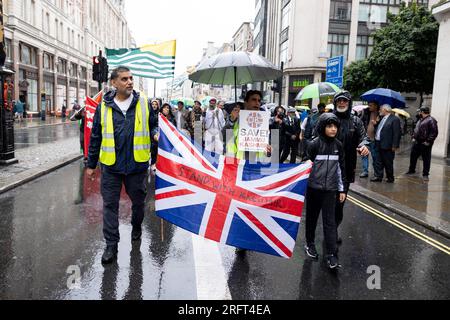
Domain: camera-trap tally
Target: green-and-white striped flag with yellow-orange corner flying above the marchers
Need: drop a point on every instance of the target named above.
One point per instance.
(155, 61)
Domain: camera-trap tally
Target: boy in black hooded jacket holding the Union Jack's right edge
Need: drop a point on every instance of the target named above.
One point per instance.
(326, 179)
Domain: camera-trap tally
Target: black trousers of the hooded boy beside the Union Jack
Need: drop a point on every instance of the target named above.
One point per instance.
(325, 201)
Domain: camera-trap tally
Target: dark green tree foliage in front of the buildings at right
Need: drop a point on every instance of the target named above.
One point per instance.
(403, 57)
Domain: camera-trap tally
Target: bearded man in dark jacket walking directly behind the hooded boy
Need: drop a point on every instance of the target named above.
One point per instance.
(354, 139)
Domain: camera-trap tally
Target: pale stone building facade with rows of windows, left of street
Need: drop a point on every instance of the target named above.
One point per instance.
(50, 45)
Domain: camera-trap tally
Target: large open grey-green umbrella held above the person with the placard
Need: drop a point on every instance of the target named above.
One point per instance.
(235, 68)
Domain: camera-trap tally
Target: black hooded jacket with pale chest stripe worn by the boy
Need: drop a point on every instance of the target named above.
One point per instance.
(328, 172)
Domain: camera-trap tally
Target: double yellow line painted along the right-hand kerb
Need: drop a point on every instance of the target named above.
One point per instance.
(440, 246)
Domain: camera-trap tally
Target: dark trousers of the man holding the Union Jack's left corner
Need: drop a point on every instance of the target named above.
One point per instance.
(111, 186)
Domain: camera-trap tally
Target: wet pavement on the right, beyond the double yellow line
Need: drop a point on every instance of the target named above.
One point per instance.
(425, 203)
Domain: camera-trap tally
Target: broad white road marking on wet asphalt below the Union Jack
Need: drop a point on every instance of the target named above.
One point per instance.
(210, 274)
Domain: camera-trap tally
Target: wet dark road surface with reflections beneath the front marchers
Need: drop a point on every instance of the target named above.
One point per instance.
(51, 231)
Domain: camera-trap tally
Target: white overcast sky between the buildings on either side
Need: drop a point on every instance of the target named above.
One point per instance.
(191, 22)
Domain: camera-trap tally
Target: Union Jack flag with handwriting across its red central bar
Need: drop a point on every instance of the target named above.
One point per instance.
(250, 206)
